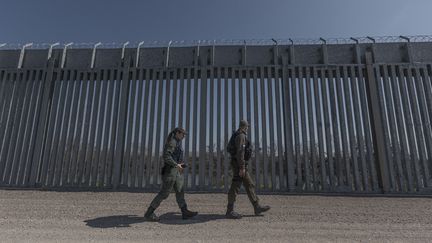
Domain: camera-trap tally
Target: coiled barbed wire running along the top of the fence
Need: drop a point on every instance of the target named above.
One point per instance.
(223, 42)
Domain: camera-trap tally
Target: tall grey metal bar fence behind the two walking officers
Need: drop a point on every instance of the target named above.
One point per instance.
(324, 117)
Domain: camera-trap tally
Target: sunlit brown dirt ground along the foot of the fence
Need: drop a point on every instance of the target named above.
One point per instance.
(44, 216)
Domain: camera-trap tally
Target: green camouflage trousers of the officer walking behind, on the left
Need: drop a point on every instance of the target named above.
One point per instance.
(172, 180)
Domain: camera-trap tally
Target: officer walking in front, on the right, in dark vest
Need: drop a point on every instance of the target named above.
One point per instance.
(240, 150)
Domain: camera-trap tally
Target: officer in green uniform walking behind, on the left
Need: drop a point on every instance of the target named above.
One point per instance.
(172, 176)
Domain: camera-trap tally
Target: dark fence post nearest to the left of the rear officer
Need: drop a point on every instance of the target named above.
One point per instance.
(120, 138)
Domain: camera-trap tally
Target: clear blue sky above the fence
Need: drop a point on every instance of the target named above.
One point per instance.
(45, 21)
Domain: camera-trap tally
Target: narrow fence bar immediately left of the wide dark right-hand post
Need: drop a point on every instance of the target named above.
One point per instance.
(360, 148)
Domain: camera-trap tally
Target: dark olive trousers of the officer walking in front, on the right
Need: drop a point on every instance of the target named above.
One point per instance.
(237, 182)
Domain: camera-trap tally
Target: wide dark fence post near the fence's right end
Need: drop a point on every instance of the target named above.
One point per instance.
(377, 123)
